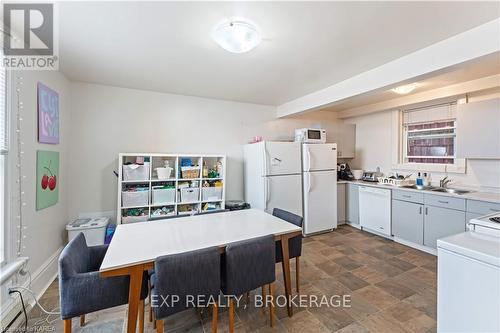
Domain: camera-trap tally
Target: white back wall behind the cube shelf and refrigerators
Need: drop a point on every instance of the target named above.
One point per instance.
(109, 120)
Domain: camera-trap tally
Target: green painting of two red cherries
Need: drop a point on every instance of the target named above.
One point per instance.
(47, 193)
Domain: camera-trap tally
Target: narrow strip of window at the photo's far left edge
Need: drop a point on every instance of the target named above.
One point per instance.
(4, 140)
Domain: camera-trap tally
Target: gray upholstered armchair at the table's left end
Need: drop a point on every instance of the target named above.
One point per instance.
(82, 290)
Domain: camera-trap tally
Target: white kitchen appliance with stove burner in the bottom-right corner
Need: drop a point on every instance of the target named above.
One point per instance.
(469, 273)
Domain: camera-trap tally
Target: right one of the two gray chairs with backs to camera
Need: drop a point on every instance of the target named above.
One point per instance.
(247, 265)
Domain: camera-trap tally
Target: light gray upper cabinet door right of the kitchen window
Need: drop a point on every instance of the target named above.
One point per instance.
(473, 121)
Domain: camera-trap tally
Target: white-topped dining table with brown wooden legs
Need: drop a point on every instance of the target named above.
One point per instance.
(134, 247)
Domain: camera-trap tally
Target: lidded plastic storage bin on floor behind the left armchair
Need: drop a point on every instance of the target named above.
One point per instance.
(93, 229)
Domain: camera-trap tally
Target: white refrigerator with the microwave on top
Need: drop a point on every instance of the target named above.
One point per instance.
(319, 166)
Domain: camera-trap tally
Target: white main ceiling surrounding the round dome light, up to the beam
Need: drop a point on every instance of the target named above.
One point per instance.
(166, 46)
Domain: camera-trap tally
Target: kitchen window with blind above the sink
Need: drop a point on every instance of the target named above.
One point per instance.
(429, 135)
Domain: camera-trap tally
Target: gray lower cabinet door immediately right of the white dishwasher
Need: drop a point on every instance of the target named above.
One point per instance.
(408, 221)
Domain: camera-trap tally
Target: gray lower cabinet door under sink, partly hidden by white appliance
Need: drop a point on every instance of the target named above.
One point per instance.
(441, 222)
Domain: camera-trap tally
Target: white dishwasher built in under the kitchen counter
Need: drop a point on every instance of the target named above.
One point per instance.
(375, 209)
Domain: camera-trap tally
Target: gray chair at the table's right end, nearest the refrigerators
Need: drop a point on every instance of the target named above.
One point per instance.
(294, 243)
